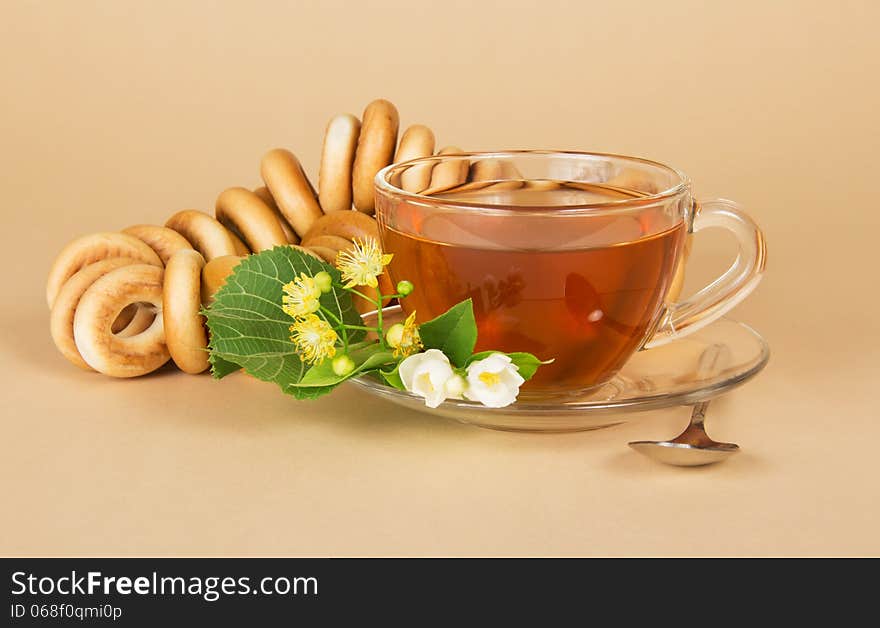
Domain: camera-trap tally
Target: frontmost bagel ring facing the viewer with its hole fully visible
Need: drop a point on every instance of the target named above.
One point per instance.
(99, 307)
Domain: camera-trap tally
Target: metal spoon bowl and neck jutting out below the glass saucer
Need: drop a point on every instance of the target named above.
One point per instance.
(691, 448)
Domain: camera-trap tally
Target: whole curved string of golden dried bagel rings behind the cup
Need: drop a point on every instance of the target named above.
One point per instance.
(124, 303)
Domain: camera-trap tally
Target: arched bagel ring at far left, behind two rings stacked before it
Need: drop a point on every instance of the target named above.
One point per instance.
(93, 248)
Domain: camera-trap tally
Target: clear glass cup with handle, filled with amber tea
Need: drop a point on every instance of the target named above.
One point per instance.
(570, 256)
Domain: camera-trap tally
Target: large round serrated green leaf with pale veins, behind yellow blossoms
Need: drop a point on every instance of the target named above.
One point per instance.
(250, 330)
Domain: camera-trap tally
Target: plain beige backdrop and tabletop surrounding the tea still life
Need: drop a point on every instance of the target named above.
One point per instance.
(120, 112)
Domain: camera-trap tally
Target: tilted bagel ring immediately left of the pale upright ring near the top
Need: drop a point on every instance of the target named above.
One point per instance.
(290, 187)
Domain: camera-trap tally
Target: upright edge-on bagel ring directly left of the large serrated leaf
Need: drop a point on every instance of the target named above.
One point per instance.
(181, 301)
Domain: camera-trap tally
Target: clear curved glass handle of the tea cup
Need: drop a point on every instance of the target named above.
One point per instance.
(723, 294)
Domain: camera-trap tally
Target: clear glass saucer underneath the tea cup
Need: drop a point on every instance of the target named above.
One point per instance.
(701, 366)
